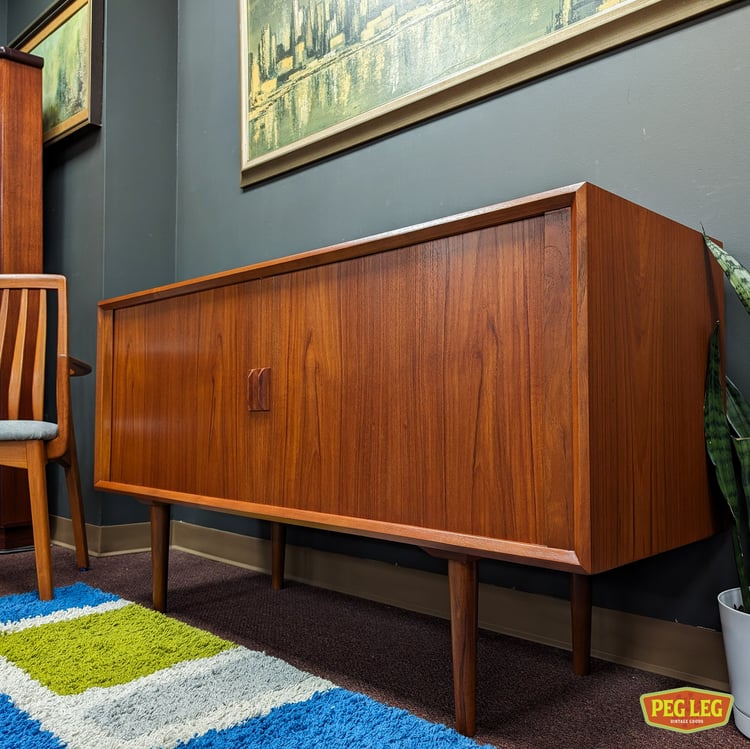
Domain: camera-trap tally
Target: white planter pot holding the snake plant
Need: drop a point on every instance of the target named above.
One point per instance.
(735, 626)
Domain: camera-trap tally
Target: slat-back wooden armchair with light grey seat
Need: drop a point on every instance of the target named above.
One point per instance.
(27, 439)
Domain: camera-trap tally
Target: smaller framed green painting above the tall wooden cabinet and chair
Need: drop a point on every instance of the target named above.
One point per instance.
(69, 36)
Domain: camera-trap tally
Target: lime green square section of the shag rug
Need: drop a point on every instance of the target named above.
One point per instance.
(91, 652)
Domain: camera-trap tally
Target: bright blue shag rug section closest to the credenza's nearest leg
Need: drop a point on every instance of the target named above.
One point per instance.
(336, 719)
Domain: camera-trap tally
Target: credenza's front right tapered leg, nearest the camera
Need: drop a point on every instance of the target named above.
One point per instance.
(462, 577)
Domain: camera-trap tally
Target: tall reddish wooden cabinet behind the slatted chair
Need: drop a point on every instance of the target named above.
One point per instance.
(20, 232)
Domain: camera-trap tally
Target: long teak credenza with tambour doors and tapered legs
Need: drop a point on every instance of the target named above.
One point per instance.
(522, 382)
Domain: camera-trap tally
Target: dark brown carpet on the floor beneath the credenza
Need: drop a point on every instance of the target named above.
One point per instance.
(528, 697)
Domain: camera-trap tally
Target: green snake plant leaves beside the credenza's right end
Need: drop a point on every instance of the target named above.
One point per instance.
(727, 428)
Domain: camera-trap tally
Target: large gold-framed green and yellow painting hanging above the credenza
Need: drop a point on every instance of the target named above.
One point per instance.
(317, 78)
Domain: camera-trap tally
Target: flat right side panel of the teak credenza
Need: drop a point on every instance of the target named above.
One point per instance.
(653, 296)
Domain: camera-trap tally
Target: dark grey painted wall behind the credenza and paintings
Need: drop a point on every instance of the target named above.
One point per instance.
(155, 195)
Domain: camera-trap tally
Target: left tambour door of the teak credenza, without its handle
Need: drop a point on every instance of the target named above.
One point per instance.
(179, 393)
